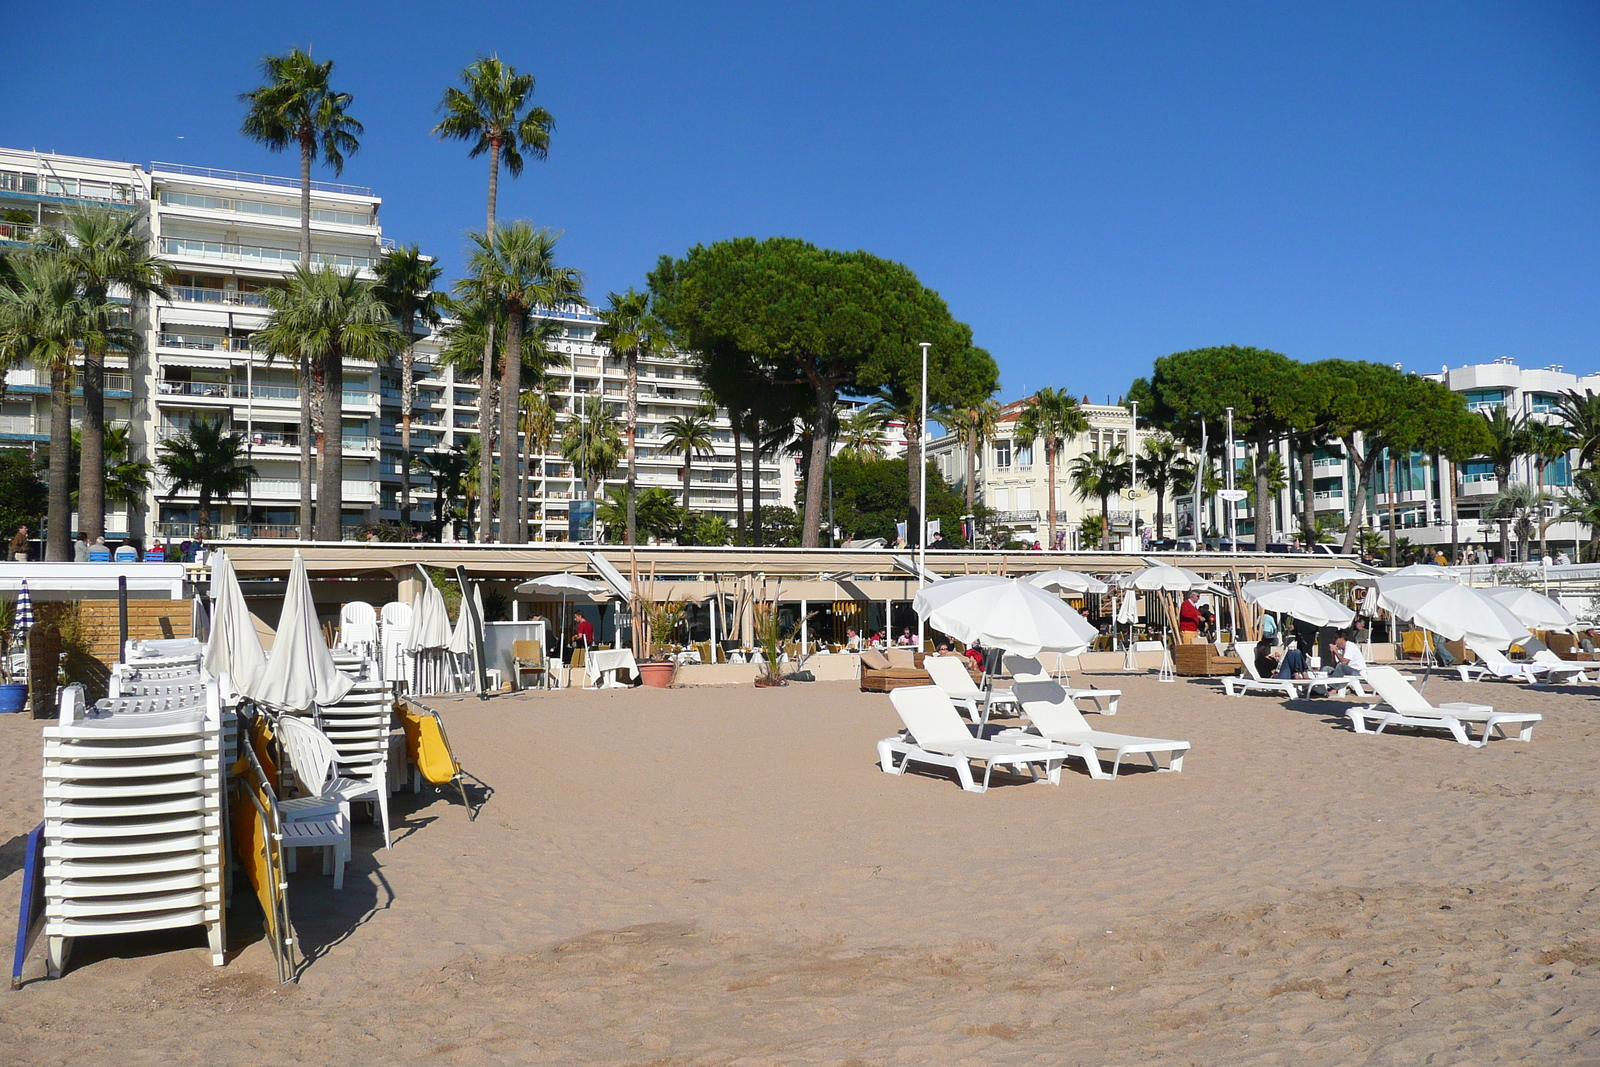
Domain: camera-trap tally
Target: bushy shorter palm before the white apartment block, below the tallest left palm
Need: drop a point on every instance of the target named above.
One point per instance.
(329, 318)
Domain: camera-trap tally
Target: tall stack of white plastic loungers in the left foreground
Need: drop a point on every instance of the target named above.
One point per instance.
(134, 818)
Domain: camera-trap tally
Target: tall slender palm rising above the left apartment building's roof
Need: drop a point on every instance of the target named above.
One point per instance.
(297, 106)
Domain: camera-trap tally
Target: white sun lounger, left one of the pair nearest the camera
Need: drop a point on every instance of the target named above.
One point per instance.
(937, 735)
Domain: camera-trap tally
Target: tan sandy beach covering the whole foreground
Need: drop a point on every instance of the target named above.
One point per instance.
(726, 877)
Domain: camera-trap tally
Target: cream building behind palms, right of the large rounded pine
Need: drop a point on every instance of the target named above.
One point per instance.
(1014, 478)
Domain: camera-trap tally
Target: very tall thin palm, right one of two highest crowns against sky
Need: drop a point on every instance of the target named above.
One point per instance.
(492, 113)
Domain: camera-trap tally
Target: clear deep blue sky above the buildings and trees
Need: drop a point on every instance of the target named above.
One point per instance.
(1090, 186)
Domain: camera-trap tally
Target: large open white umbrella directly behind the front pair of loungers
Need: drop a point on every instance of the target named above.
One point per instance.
(1004, 613)
